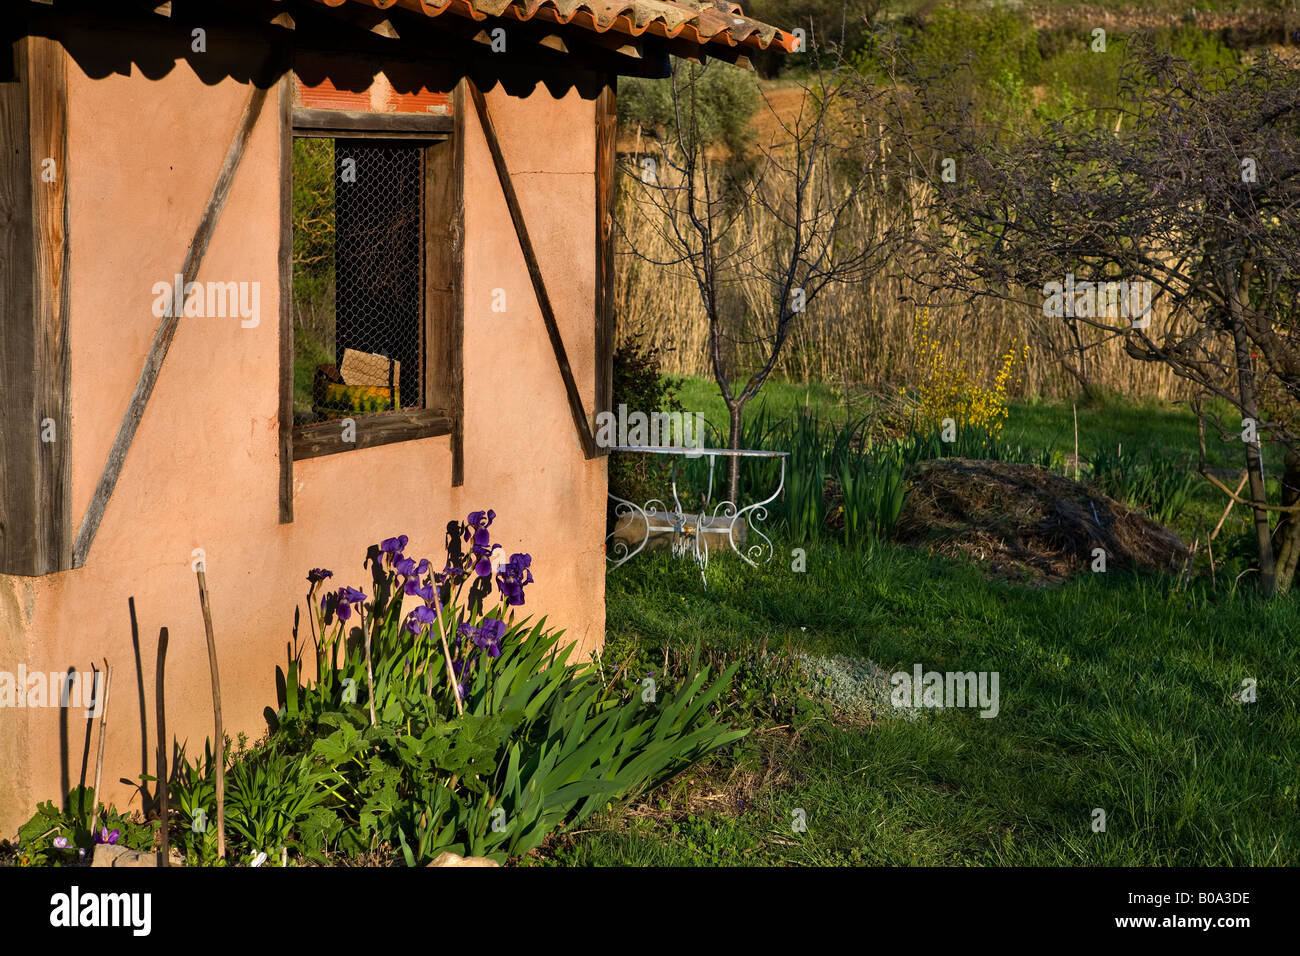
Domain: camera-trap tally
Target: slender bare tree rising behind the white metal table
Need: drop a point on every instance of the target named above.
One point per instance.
(761, 236)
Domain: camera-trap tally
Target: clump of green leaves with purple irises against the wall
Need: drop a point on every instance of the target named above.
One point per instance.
(435, 719)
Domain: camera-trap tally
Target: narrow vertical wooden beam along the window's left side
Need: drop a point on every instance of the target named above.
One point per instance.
(285, 90)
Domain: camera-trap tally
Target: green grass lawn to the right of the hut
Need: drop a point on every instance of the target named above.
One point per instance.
(1116, 694)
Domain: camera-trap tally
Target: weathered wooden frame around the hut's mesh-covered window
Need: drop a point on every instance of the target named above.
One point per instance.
(443, 318)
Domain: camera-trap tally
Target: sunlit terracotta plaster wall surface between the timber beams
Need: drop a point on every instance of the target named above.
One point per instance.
(203, 469)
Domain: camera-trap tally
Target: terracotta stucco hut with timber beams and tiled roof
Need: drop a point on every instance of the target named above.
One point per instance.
(174, 388)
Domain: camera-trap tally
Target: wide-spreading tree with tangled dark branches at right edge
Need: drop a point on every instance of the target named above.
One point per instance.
(1190, 185)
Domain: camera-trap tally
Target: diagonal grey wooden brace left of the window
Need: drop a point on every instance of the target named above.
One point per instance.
(167, 330)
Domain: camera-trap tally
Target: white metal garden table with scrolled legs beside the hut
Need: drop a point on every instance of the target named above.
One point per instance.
(690, 531)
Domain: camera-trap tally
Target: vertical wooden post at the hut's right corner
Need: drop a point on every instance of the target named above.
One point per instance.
(606, 132)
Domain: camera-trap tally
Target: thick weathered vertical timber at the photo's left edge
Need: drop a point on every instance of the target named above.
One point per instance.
(36, 529)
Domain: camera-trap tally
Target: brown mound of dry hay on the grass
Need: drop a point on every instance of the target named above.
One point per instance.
(1029, 525)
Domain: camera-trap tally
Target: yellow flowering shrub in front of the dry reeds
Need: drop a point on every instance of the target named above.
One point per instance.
(947, 388)
